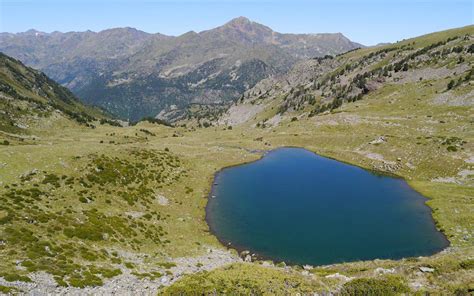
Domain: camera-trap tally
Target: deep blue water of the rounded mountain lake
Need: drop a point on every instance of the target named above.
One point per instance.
(295, 206)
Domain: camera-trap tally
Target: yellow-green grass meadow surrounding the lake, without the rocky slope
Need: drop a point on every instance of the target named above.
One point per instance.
(80, 203)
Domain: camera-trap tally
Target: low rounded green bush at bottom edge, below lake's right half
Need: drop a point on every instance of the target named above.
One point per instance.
(372, 286)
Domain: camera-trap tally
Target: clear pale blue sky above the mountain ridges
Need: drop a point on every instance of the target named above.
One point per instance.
(366, 21)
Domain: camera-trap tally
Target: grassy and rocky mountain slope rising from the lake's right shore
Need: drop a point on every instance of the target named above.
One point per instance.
(404, 109)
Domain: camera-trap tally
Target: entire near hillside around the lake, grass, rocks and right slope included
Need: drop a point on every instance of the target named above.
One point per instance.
(122, 209)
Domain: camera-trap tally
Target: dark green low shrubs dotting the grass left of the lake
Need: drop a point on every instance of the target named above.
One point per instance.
(54, 238)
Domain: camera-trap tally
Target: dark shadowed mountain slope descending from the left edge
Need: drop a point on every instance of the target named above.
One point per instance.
(30, 99)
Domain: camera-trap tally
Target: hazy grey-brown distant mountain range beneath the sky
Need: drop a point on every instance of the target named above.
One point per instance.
(134, 74)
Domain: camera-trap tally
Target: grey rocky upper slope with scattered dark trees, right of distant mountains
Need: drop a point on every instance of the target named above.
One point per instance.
(324, 84)
